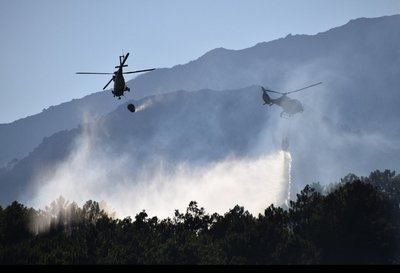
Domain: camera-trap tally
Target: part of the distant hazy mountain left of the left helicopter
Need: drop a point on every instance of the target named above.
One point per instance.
(20, 137)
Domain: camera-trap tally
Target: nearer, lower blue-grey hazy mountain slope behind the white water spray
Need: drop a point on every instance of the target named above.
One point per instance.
(195, 129)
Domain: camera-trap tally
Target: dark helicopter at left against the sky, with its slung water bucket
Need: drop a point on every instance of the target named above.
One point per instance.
(118, 78)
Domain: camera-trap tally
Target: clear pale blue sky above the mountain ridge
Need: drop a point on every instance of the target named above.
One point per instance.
(44, 42)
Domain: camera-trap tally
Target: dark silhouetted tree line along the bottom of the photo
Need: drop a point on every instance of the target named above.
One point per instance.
(355, 221)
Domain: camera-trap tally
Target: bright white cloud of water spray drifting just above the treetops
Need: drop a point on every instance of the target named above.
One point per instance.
(90, 174)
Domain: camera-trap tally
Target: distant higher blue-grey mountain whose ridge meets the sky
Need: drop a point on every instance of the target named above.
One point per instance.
(357, 61)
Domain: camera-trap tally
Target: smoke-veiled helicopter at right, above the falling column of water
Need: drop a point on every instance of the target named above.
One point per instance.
(289, 106)
